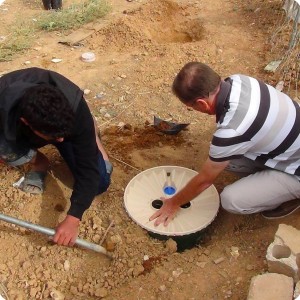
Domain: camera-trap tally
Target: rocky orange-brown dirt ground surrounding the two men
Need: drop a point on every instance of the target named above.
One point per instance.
(139, 49)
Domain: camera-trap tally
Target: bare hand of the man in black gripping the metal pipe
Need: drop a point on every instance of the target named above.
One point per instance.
(67, 231)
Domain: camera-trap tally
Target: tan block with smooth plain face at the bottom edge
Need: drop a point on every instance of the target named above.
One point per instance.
(271, 286)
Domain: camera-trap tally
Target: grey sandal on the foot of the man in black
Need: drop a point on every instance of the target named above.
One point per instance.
(34, 182)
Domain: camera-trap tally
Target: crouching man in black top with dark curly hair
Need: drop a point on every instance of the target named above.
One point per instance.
(40, 107)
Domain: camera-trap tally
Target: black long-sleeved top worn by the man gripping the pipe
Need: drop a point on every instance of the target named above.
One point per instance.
(82, 139)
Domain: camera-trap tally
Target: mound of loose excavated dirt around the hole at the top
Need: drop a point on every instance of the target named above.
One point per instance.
(161, 22)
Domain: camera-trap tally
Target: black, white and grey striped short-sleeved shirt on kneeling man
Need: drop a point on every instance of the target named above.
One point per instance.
(259, 122)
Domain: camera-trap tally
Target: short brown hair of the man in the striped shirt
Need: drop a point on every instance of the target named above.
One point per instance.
(195, 80)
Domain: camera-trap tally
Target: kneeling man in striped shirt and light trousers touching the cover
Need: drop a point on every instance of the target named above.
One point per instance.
(257, 136)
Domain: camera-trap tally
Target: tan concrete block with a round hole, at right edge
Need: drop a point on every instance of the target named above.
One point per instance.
(283, 254)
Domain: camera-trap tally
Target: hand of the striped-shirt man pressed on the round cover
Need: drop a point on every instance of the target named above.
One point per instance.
(166, 213)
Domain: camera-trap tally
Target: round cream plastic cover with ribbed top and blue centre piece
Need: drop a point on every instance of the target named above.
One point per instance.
(145, 189)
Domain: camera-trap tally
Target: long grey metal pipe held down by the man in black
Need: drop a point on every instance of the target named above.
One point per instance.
(51, 232)
